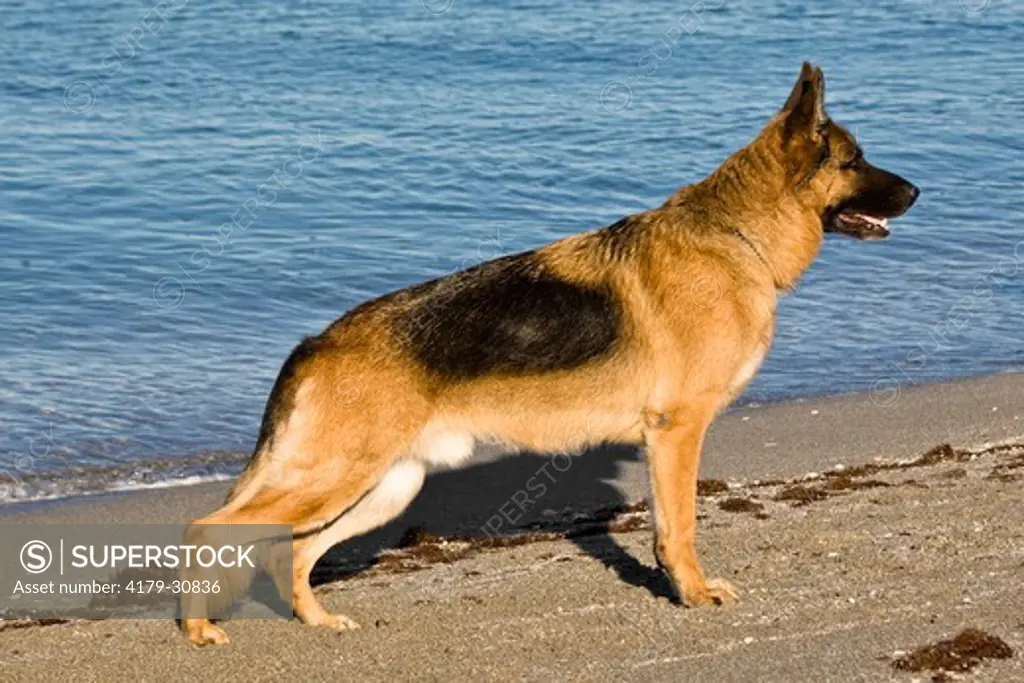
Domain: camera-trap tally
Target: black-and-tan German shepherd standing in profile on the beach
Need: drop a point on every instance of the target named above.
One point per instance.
(642, 332)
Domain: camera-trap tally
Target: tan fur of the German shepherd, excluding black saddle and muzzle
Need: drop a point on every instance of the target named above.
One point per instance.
(700, 306)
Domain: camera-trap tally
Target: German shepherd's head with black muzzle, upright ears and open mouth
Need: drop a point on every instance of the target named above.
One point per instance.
(829, 169)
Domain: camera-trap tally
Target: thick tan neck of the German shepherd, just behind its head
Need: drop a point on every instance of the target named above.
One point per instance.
(754, 195)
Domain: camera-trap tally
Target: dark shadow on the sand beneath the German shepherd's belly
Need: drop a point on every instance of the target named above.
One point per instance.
(501, 496)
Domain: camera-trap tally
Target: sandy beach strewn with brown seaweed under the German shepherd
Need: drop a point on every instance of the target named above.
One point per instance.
(856, 532)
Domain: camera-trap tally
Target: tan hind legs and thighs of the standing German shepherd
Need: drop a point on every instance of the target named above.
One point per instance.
(329, 475)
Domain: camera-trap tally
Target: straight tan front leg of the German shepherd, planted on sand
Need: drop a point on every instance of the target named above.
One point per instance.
(674, 440)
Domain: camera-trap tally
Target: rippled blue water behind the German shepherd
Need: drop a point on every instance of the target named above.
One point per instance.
(392, 143)
